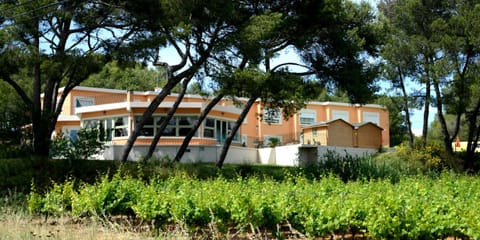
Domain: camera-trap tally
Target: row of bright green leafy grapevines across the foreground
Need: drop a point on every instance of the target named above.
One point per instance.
(413, 208)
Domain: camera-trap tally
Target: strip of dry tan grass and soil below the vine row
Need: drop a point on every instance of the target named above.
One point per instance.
(24, 227)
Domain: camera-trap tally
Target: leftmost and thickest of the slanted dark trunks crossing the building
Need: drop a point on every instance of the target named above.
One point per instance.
(147, 114)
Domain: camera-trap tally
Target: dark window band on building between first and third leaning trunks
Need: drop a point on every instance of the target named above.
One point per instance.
(177, 126)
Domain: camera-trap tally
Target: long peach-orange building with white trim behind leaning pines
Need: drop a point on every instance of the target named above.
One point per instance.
(115, 113)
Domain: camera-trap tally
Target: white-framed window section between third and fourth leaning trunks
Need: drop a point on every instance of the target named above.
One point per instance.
(219, 129)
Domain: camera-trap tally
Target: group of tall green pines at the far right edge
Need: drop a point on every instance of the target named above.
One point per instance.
(435, 44)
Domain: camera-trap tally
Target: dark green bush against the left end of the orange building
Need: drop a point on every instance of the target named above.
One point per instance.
(86, 145)
